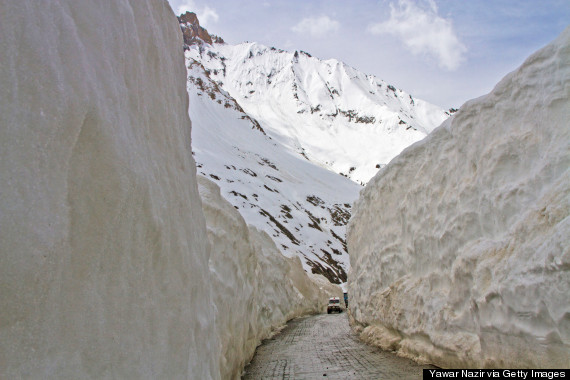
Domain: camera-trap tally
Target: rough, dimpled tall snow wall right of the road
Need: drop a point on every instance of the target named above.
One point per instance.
(460, 247)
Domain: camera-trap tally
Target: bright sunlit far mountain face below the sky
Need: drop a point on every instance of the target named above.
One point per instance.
(330, 113)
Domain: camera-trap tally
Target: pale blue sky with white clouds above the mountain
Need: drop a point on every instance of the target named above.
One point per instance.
(443, 51)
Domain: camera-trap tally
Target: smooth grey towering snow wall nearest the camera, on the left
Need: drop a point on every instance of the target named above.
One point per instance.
(103, 255)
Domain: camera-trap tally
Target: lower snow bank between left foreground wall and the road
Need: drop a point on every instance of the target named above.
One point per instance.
(256, 289)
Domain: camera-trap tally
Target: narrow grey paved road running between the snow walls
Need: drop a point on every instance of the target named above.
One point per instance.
(324, 347)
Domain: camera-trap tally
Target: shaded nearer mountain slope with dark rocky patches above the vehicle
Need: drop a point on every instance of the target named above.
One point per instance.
(304, 207)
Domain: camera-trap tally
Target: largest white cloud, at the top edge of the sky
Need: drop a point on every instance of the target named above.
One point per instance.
(423, 31)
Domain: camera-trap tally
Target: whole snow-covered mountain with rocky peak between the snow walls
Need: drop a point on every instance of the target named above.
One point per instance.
(274, 129)
